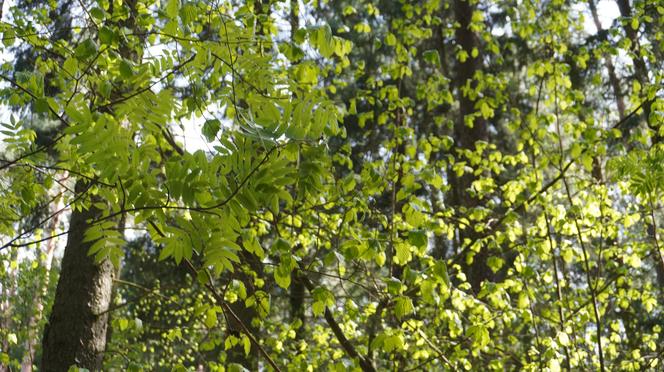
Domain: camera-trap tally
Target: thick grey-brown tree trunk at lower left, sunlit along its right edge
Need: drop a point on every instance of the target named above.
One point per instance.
(76, 333)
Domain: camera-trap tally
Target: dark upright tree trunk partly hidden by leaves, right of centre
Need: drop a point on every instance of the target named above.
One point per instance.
(466, 136)
